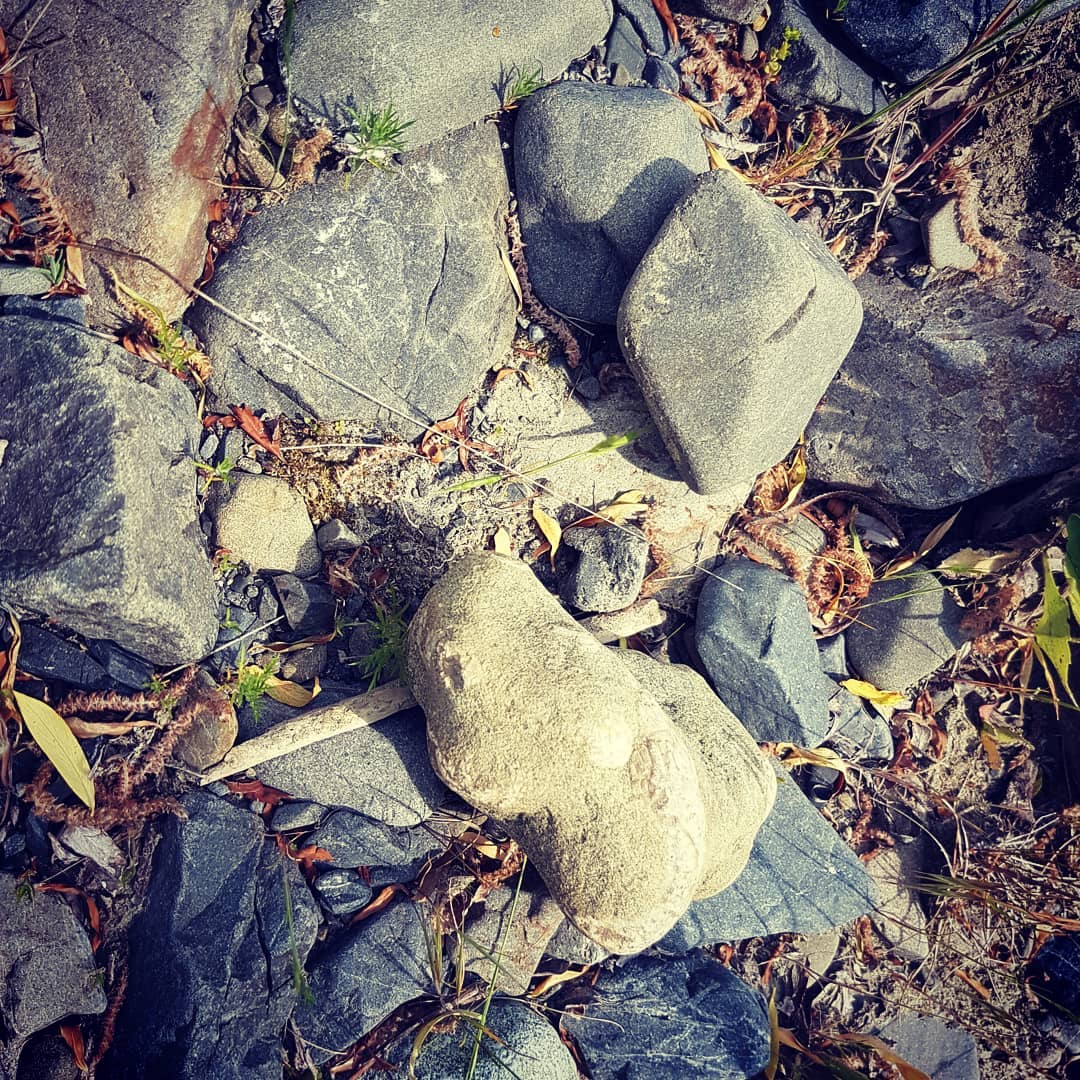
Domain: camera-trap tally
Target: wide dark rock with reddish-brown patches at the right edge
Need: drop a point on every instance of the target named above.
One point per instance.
(980, 389)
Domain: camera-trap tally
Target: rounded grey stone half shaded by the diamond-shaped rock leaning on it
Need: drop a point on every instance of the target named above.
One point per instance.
(598, 170)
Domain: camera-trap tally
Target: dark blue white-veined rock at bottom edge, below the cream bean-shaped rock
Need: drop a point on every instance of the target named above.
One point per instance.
(657, 1019)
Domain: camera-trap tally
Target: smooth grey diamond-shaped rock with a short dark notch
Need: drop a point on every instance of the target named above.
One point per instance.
(732, 277)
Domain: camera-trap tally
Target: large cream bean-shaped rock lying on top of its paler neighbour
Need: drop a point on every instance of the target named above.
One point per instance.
(598, 787)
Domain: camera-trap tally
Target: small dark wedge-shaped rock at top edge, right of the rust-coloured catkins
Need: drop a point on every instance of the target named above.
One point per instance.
(816, 72)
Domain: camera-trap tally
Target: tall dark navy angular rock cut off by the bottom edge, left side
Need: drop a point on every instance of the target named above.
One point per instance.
(211, 979)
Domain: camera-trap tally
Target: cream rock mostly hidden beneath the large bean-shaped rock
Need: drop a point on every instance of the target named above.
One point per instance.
(734, 765)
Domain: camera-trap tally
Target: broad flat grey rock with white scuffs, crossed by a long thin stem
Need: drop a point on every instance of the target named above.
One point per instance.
(394, 286)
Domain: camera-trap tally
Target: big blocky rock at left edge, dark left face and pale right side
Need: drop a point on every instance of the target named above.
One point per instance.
(99, 464)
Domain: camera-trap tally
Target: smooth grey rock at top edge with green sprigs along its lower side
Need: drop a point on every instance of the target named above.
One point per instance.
(441, 66)
